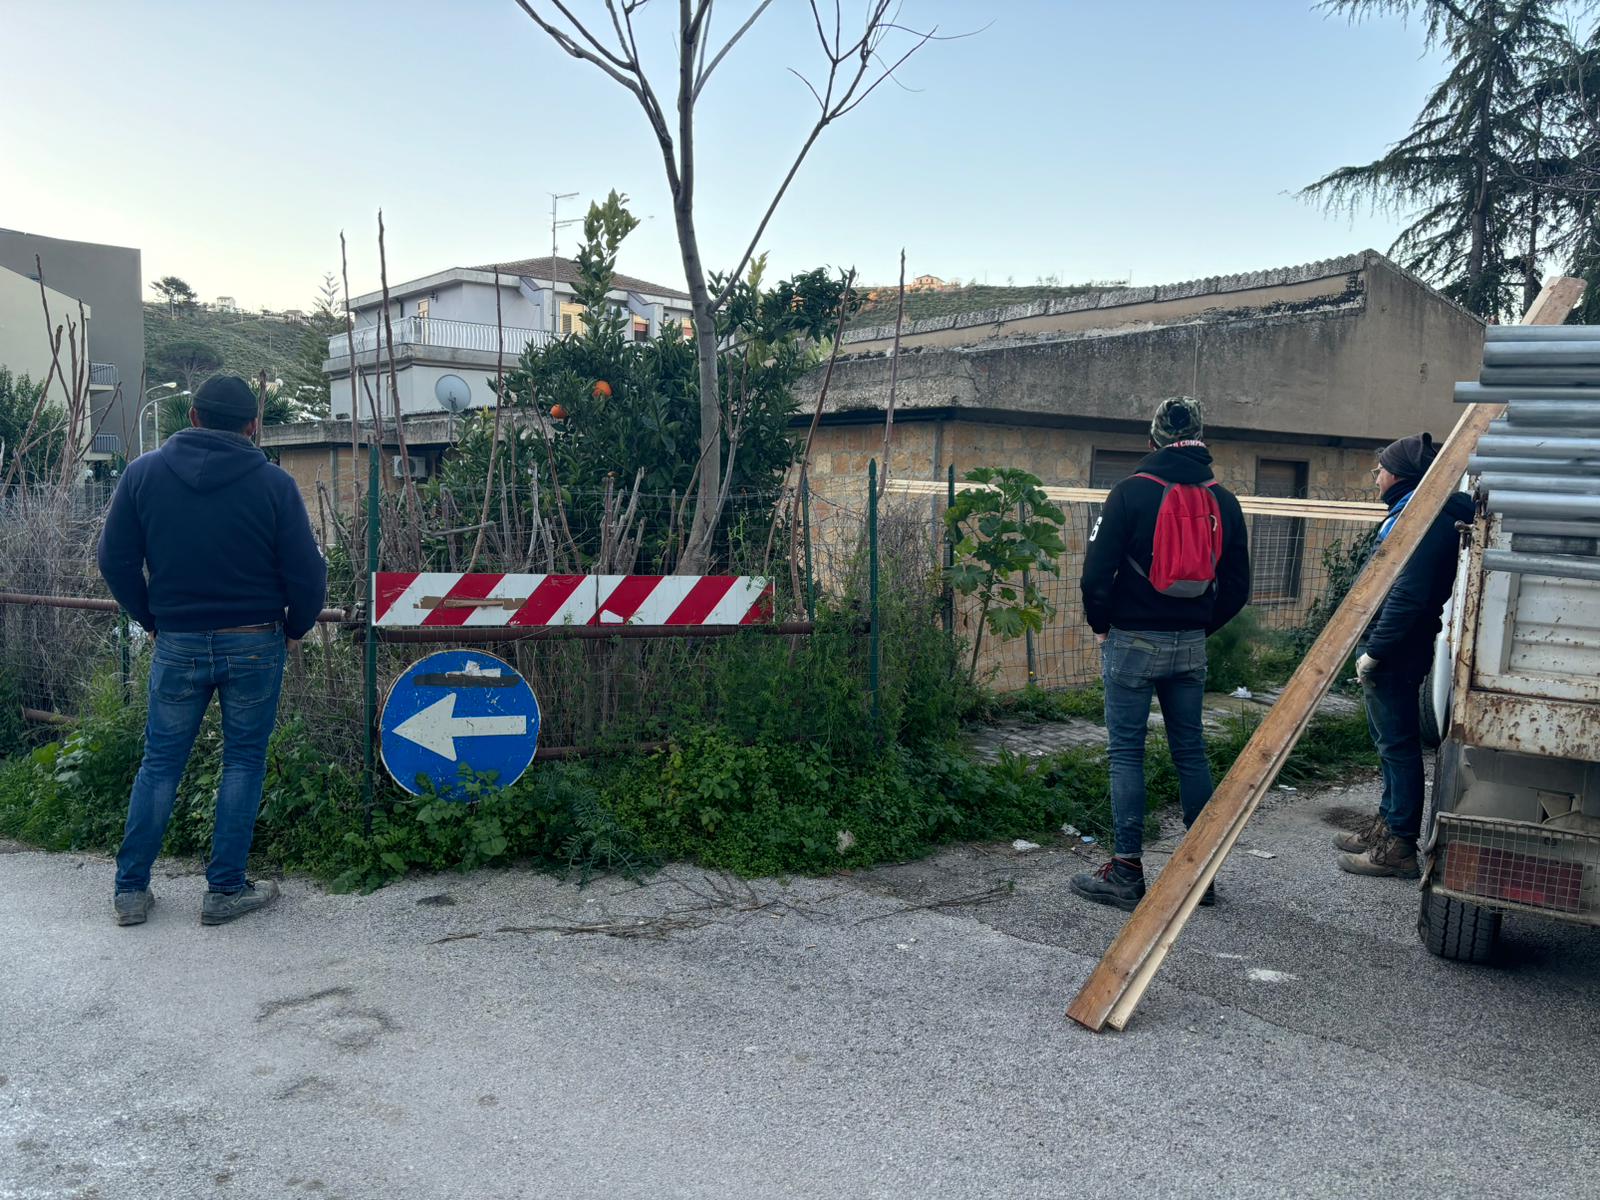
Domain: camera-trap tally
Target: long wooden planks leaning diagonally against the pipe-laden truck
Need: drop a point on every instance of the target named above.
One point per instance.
(1114, 990)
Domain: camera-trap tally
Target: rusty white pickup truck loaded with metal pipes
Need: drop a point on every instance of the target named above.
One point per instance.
(1516, 817)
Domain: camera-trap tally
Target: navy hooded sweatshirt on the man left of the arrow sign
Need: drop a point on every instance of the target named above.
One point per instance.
(223, 535)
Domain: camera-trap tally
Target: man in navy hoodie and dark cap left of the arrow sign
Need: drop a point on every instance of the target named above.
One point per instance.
(209, 546)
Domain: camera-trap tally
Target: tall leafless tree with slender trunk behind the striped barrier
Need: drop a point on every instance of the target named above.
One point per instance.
(854, 66)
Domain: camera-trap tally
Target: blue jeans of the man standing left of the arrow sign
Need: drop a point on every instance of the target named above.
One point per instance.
(246, 671)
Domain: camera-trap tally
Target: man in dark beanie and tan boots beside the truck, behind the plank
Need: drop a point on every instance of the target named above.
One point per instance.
(1396, 658)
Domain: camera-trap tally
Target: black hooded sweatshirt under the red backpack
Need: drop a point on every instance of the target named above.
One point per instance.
(1114, 594)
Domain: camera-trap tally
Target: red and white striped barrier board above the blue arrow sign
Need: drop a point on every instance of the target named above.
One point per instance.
(446, 599)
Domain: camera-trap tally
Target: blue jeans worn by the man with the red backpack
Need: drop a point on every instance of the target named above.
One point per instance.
(1169, 665)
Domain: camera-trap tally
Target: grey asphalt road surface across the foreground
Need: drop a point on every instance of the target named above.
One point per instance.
(889, 1034)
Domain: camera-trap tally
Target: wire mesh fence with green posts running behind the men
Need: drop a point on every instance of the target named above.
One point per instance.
(833, 546)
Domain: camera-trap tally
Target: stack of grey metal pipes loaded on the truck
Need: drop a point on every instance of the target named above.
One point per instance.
(1538, 466)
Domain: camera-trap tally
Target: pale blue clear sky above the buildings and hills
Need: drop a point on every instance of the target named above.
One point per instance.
(234, 142)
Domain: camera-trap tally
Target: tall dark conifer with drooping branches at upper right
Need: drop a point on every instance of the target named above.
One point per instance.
(1468, 170)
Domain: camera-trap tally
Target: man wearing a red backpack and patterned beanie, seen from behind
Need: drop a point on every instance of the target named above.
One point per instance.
(1169, 566)
